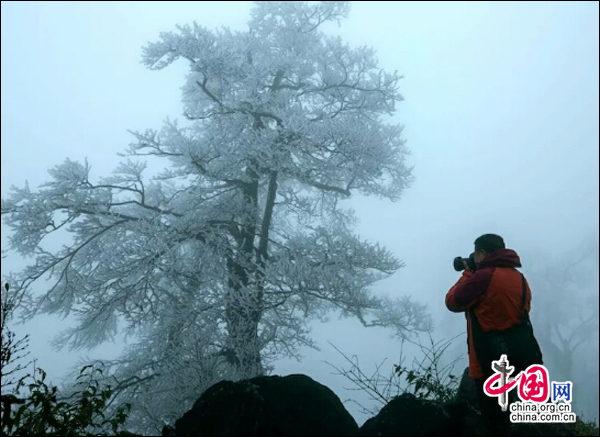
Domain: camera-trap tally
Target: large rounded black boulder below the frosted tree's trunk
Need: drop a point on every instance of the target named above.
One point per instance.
(267, 406)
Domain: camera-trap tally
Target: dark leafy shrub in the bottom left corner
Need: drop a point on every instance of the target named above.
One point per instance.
(43, 411)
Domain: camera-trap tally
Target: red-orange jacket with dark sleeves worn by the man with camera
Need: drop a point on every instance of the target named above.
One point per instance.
(495, 290)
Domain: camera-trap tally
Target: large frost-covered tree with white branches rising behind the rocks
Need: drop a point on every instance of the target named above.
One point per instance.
(217, 264)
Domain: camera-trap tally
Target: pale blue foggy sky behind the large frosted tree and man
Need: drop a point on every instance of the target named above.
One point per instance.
(500, 112)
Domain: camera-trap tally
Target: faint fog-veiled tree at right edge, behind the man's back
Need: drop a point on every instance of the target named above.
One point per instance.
(566, 318)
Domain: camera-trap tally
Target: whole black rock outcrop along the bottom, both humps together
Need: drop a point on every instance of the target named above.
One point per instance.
(297, 405)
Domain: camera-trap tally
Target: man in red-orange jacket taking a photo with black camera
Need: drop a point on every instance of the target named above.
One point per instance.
(496, 300)
